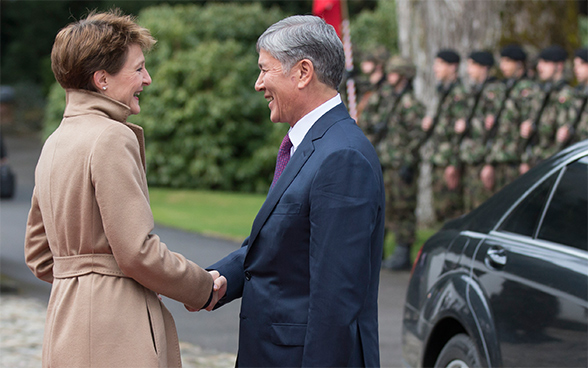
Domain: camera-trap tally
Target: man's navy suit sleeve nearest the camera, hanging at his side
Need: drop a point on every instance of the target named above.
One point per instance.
(346, 203)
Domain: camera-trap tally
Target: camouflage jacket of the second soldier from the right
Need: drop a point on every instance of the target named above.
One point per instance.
(558, 112)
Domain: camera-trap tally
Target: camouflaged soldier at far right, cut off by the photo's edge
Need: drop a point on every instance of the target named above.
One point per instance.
(577, 129)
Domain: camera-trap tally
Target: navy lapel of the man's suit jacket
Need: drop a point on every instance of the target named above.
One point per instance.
(300, 157)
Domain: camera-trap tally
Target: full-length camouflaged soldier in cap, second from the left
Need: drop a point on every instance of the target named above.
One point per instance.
(399, 155)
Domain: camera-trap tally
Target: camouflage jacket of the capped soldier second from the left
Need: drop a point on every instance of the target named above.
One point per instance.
(404, 136)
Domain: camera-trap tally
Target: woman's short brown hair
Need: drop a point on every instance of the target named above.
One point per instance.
(98, 42)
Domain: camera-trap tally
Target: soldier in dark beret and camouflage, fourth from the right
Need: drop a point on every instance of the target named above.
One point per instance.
(485, 97)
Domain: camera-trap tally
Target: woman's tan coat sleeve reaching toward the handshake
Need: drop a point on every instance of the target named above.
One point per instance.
(122, 196)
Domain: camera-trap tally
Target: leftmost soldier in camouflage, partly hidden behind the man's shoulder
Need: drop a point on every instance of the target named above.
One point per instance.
(368, 119)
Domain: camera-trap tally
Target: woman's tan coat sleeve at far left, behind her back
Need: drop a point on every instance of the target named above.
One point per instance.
(38, 256)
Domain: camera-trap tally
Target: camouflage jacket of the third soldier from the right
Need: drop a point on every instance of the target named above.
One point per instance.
(504, 145)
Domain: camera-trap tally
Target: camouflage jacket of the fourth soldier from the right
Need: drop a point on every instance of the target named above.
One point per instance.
(473, 148)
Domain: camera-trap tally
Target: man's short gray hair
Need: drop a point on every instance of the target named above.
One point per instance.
(306, 37)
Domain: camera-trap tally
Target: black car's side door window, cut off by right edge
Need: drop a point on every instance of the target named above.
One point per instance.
(566, 219)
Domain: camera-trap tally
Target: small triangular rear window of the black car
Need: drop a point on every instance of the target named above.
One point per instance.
(524, 219)
